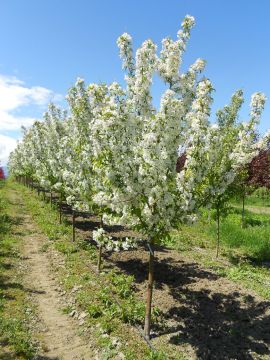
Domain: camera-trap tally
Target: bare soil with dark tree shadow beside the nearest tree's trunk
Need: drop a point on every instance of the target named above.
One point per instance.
(200, 309)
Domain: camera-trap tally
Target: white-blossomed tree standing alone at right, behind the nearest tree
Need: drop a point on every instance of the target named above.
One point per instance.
(232, 145)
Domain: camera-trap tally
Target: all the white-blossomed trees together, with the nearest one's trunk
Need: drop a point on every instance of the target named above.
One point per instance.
(114, 153)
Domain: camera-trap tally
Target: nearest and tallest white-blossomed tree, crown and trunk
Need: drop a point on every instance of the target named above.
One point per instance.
(136, 146)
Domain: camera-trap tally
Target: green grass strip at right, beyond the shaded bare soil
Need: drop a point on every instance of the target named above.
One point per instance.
(245, 252)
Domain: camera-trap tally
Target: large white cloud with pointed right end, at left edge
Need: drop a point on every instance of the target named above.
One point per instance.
(15, 97)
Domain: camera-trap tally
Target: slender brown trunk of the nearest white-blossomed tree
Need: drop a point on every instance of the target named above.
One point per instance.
(147, 323)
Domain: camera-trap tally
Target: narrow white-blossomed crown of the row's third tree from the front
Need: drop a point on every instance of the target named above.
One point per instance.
(78, 171)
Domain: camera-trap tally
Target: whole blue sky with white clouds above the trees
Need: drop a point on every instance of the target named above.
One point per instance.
(46, 45)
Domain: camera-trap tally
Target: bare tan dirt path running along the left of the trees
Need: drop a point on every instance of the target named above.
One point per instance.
(57, 331)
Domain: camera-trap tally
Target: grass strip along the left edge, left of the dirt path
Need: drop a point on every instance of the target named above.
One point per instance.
(15, 335)
